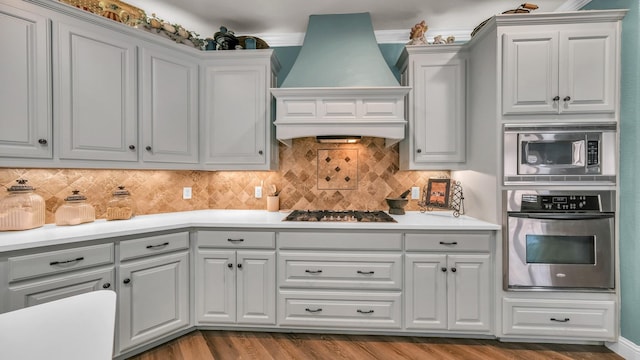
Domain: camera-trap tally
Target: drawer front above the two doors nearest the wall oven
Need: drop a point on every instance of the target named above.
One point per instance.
(448, 241)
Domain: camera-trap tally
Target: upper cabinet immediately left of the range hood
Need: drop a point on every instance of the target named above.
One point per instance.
(236, 107)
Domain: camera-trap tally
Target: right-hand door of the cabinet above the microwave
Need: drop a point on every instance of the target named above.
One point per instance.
(588, 69)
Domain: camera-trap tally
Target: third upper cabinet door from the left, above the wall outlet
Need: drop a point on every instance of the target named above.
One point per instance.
(169, 94)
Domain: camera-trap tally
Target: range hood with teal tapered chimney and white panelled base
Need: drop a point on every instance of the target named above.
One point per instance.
(340, 85)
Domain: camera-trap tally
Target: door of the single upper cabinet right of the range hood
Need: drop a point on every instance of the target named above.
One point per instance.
(439, 119)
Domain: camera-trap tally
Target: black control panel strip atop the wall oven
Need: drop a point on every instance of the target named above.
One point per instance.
(562, 203)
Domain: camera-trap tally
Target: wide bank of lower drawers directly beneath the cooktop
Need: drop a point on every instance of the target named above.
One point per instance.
(340, 280)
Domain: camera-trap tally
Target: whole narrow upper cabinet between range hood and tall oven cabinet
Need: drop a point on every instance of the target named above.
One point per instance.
(436, 136)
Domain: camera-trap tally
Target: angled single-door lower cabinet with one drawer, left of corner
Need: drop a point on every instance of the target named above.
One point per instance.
(153, 288)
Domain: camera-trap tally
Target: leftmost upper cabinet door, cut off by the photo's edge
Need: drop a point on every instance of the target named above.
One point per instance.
(25, 75)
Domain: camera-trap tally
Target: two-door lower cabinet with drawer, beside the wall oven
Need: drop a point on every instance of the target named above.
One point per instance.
(445, 289)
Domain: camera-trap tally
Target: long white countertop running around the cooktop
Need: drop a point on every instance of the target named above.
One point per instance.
(50, 234)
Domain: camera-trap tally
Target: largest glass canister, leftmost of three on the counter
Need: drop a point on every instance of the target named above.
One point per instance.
(22, 209)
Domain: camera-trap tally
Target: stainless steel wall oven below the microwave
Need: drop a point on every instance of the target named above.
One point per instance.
(559, 240)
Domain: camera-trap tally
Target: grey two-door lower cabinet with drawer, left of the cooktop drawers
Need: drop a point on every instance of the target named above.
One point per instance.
(235, 286)
